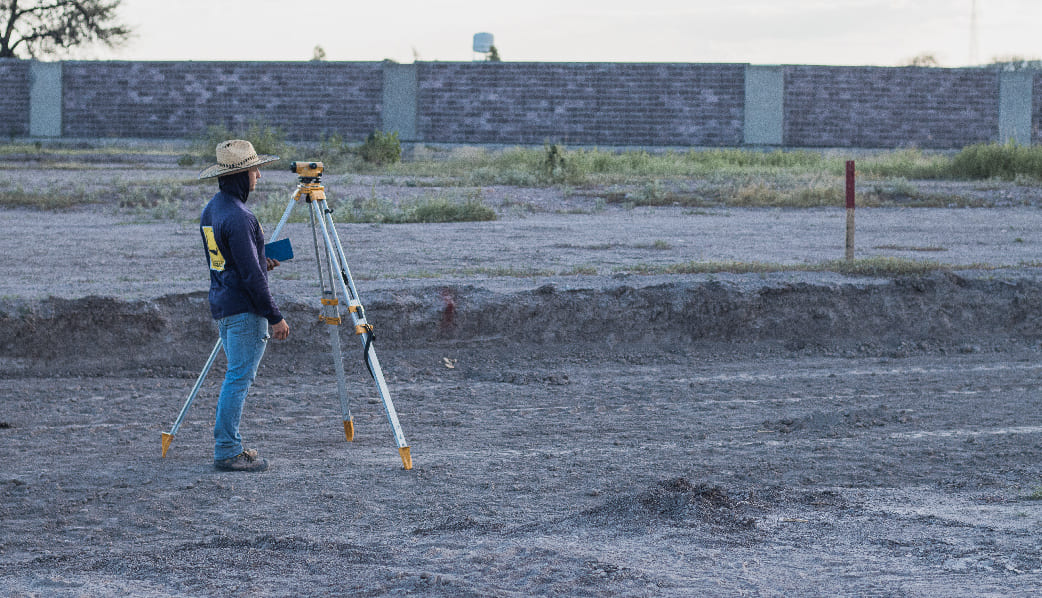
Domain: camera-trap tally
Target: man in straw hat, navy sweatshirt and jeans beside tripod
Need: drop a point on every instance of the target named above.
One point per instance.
(240, 300)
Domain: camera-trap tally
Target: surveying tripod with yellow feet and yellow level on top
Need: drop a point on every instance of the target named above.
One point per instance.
(310, 189)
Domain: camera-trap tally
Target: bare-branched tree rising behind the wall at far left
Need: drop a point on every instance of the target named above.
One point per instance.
(37, 28)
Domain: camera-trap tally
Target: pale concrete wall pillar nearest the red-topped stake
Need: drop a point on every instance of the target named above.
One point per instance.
(764, 106)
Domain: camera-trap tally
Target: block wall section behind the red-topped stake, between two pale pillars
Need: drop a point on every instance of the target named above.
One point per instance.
(888, 108)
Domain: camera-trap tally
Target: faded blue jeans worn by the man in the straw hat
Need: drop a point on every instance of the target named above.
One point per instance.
(243, 336)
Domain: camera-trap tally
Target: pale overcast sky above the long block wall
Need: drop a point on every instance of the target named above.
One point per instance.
(886, 33)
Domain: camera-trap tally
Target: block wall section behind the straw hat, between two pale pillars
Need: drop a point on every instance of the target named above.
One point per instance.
(307, 101)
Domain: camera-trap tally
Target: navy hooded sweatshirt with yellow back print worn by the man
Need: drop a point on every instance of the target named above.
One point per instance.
(234, 243)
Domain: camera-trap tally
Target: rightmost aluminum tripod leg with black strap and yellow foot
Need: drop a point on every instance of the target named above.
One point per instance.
(362, 328)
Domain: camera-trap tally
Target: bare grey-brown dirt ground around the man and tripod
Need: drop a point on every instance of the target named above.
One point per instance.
(594, 435)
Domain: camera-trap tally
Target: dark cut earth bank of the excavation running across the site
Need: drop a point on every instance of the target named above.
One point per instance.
(96, 336)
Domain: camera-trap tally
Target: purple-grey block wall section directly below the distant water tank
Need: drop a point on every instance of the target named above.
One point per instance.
(582, 104)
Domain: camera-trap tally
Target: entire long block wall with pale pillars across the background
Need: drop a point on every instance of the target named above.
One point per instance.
(576, 104)
